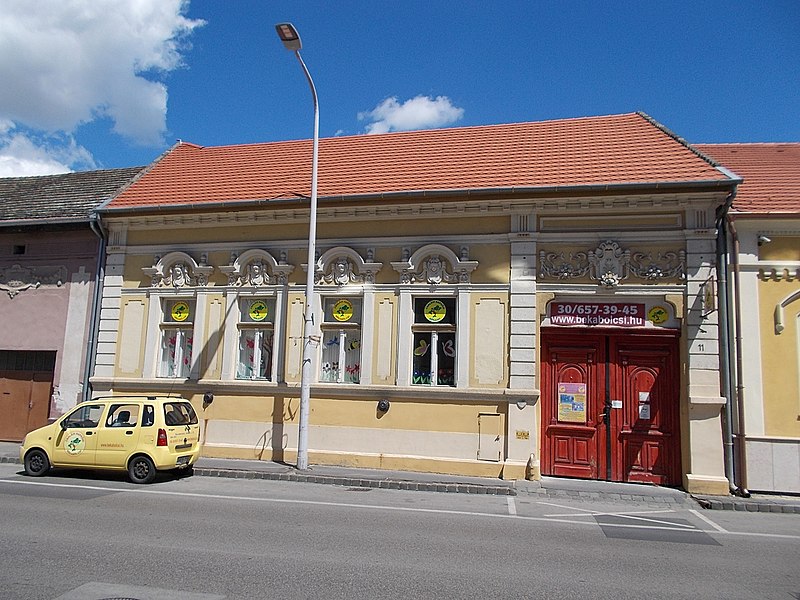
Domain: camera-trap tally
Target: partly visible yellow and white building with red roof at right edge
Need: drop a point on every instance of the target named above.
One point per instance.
(764, 338)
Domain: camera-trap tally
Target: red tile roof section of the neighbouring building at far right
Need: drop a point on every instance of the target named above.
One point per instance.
(771, 175)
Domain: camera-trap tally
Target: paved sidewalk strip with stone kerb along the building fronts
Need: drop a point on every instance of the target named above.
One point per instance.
(548, 487)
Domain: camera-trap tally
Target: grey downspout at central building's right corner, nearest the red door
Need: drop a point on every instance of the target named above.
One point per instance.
(723, 297)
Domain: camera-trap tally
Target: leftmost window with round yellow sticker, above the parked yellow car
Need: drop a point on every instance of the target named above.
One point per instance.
(176, 338)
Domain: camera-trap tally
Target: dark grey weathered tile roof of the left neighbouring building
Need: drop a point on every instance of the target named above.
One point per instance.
(69, 197)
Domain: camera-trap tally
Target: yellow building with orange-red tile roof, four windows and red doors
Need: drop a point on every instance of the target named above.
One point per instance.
(503, 301)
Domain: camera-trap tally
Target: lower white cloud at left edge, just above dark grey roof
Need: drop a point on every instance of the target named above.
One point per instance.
(23, 153)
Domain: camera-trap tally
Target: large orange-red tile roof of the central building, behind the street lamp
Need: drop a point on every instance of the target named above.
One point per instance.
(550, 155)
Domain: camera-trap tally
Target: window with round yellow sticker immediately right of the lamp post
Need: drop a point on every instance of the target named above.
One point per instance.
(341, 340)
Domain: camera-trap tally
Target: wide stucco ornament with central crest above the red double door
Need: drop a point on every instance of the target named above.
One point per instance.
(609, 264)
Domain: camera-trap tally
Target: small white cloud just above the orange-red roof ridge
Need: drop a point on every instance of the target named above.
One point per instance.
(421, 112)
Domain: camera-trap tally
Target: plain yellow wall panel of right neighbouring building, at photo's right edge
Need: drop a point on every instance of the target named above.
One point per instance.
(780, 359)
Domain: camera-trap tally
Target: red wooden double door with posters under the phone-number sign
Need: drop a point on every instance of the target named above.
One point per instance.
(610, 406)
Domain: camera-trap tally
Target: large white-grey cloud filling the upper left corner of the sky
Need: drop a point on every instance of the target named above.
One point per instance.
(64, 63)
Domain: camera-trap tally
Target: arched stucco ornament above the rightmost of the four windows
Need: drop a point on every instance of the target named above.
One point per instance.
(434, 264)
